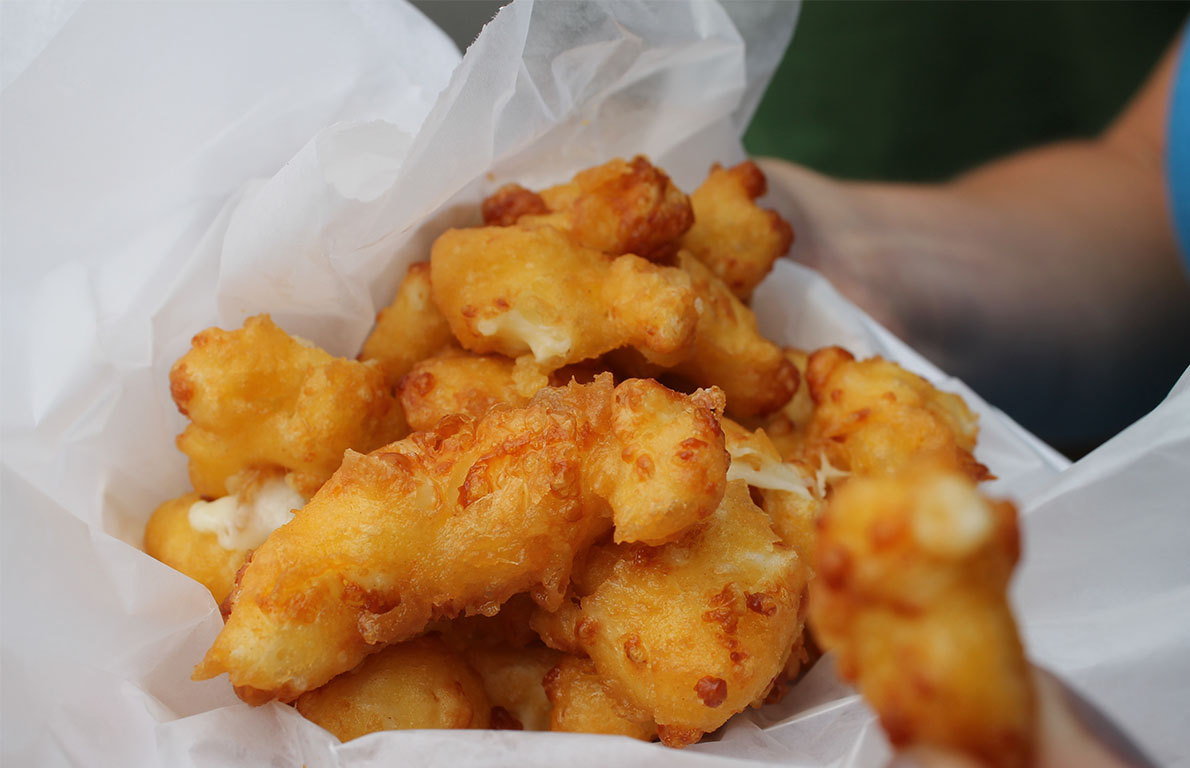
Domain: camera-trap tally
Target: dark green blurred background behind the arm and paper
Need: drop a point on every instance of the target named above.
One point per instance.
(917, 91)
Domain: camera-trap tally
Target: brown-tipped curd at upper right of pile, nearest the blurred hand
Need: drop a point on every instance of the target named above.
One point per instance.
(736, 239)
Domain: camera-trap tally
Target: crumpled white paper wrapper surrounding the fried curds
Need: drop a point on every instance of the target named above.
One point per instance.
(130, 224)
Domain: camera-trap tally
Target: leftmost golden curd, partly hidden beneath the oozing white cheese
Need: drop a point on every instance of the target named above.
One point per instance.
(197, 554)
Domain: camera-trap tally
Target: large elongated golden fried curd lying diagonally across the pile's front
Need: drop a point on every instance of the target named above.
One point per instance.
(458, 521)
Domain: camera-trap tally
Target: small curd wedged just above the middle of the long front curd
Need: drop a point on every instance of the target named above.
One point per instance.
(456, 383)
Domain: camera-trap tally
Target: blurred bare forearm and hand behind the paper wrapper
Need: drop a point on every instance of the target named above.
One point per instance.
(1060, 263)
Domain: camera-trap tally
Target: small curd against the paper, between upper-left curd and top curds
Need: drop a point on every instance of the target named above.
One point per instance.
(410, 329)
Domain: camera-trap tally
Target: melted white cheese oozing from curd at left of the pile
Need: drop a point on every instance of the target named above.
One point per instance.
(246, 526)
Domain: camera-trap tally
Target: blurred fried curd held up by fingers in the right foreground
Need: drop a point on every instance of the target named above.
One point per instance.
(911, 596)
